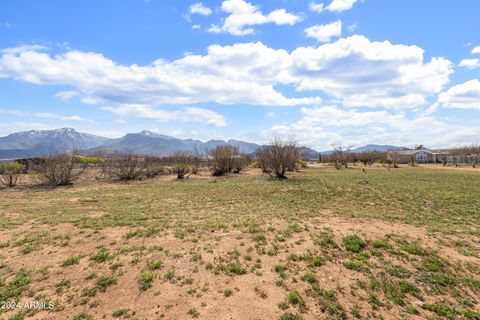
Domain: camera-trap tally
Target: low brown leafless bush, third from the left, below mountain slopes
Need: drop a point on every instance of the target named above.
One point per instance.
(128, 167)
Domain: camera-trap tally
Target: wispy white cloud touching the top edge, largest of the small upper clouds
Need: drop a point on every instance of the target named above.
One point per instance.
(243, 15)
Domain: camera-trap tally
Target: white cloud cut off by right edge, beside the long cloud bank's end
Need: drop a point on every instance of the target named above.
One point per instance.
(462, 96)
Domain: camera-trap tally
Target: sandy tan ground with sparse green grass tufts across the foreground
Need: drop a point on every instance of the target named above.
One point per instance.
(324, 244)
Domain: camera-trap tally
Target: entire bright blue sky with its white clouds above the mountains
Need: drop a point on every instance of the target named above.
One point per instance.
(323, 73)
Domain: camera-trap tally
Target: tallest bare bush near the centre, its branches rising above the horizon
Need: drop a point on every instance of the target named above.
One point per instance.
(278, 157)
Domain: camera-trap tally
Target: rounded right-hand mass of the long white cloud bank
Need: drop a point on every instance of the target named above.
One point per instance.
(360, 72)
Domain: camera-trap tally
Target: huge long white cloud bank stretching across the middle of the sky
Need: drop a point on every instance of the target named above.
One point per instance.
(354, 70)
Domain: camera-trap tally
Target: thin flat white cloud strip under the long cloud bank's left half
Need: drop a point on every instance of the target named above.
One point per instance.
(188, 114)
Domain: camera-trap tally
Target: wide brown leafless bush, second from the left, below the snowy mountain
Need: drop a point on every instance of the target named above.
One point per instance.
(61, 169)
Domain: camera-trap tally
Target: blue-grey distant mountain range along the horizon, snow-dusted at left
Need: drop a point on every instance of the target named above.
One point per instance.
(44, 142)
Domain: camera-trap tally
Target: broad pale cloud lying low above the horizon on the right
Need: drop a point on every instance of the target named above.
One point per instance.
(325, 126)
